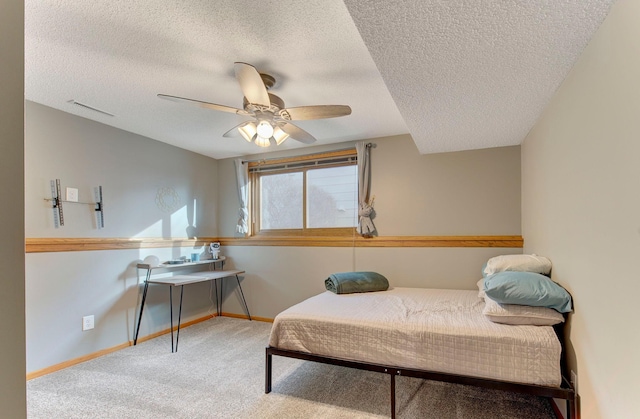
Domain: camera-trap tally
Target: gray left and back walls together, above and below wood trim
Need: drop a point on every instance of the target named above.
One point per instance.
(467, 193)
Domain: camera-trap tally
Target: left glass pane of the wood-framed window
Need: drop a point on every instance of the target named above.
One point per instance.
(281, 201)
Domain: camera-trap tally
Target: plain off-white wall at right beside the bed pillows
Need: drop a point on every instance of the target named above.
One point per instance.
(581, 208)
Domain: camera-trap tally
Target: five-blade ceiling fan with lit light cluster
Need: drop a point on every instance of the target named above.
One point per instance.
(270, 120)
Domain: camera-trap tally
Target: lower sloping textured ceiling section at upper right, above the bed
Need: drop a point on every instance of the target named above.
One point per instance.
(474, 74)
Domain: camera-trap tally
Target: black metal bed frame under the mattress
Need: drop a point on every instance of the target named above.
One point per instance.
(565, 391)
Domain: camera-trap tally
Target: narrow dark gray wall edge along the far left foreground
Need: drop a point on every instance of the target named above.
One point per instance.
(12, 327)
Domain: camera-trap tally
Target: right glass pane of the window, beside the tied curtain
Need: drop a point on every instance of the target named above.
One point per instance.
(332, 197)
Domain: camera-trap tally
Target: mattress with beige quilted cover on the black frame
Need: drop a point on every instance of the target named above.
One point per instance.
(427, 329)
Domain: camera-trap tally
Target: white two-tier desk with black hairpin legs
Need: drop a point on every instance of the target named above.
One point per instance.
(181, 281)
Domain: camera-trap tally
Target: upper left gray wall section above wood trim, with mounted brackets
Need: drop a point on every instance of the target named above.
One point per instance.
(130, 168)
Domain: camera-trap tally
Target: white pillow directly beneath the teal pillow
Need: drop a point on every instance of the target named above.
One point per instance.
(520, 315)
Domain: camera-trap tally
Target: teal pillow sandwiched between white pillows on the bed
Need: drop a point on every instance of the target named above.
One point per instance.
(527, 288)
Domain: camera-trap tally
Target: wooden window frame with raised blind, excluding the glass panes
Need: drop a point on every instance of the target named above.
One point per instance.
(296, 164)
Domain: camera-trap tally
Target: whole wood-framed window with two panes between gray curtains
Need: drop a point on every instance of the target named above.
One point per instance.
(306, 195)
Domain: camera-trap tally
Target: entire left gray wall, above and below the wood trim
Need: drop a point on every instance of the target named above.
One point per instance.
(61, 288)
